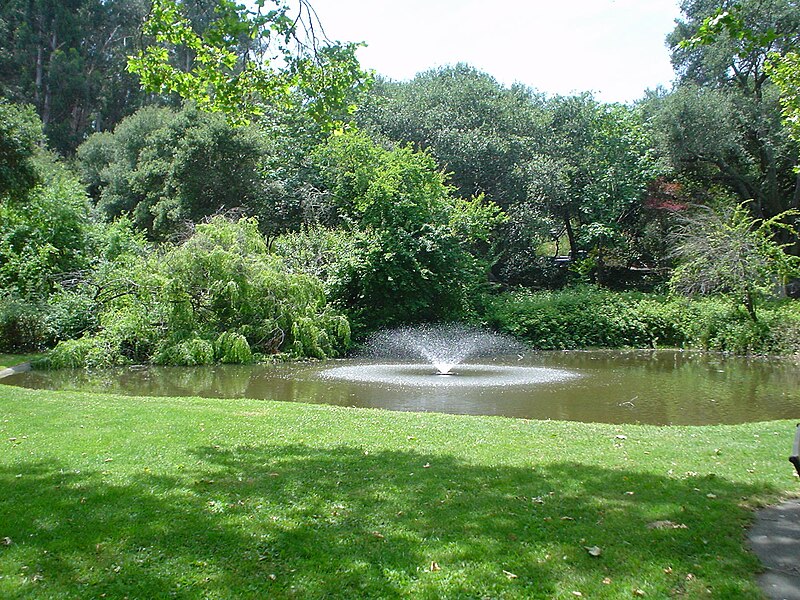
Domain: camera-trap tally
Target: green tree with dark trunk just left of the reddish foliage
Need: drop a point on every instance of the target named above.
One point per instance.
(590, 178)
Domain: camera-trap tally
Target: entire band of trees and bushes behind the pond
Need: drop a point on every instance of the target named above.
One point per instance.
(135, 228)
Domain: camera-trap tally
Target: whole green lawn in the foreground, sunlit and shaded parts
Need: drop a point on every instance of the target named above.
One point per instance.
(114, 497)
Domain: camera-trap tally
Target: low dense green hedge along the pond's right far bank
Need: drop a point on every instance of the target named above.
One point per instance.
(591, 317)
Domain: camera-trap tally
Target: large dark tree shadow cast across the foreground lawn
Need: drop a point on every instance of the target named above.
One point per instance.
(295, 521)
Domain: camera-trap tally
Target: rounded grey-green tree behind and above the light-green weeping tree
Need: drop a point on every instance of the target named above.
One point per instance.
(168, 168)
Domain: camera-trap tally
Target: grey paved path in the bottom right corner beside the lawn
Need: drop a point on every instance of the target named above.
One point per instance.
(775, 538)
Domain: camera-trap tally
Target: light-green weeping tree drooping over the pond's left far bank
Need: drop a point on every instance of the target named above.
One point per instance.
(218, 296)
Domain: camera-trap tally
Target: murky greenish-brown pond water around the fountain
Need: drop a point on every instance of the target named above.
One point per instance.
(652, 387)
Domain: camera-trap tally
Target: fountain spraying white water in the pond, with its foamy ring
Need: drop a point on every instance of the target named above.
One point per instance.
(448, 352)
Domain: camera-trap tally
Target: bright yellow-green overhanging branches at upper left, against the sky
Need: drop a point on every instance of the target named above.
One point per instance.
(246, 59)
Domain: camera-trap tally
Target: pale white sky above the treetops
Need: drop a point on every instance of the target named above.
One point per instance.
(612, 48)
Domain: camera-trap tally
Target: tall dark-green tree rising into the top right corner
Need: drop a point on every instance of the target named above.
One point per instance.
(756, 158)
